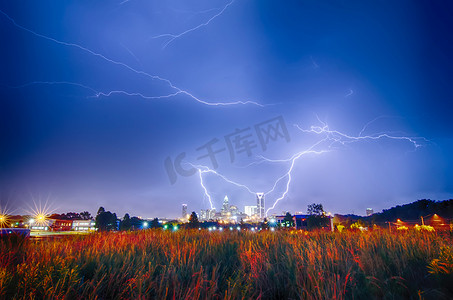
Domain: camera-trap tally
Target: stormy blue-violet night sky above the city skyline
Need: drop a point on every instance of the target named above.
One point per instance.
(80, 123)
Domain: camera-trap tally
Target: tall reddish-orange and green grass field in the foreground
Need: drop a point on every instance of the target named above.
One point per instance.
(229, 265)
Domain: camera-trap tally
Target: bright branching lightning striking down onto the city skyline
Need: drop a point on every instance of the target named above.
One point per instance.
(329, 137)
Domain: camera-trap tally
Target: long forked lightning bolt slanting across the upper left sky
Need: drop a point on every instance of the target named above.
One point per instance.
(177, 90)
